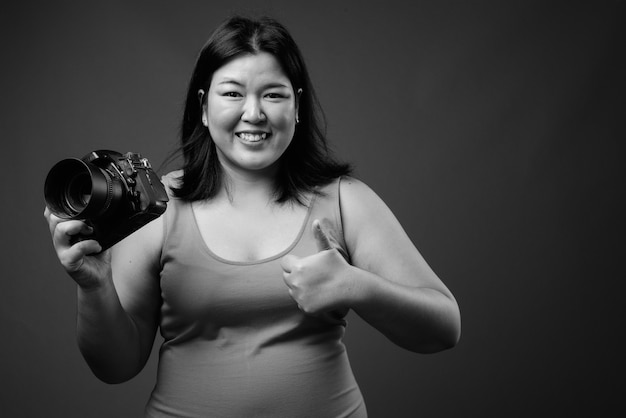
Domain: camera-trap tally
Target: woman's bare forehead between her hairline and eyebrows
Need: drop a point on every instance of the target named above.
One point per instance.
(251, 68)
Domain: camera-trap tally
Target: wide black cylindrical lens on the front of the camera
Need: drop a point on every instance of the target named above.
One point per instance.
(75, 189)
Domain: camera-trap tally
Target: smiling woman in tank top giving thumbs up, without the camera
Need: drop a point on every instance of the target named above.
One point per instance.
(265, 246)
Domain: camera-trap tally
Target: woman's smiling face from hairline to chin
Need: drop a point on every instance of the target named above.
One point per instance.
(251, 113)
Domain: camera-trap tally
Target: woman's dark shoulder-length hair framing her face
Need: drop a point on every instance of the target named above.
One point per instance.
(305, 164)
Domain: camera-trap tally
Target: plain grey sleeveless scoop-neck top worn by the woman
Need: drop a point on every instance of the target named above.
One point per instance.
(235, 342)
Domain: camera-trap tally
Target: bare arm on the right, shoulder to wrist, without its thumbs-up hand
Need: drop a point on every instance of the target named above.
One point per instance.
(395, 290)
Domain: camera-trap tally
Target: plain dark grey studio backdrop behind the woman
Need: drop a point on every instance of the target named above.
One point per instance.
(494, 130)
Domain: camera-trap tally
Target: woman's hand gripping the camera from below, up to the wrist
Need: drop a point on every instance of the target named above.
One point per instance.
(82, 259)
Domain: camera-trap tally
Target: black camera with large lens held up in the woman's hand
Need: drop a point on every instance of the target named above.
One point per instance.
(115, 194)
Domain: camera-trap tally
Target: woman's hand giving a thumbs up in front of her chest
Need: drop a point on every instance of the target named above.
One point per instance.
(319, 283)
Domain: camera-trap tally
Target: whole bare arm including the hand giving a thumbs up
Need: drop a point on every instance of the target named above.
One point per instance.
(388, 284)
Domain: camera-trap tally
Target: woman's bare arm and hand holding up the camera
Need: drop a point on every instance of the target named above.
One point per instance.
(118, 296)
